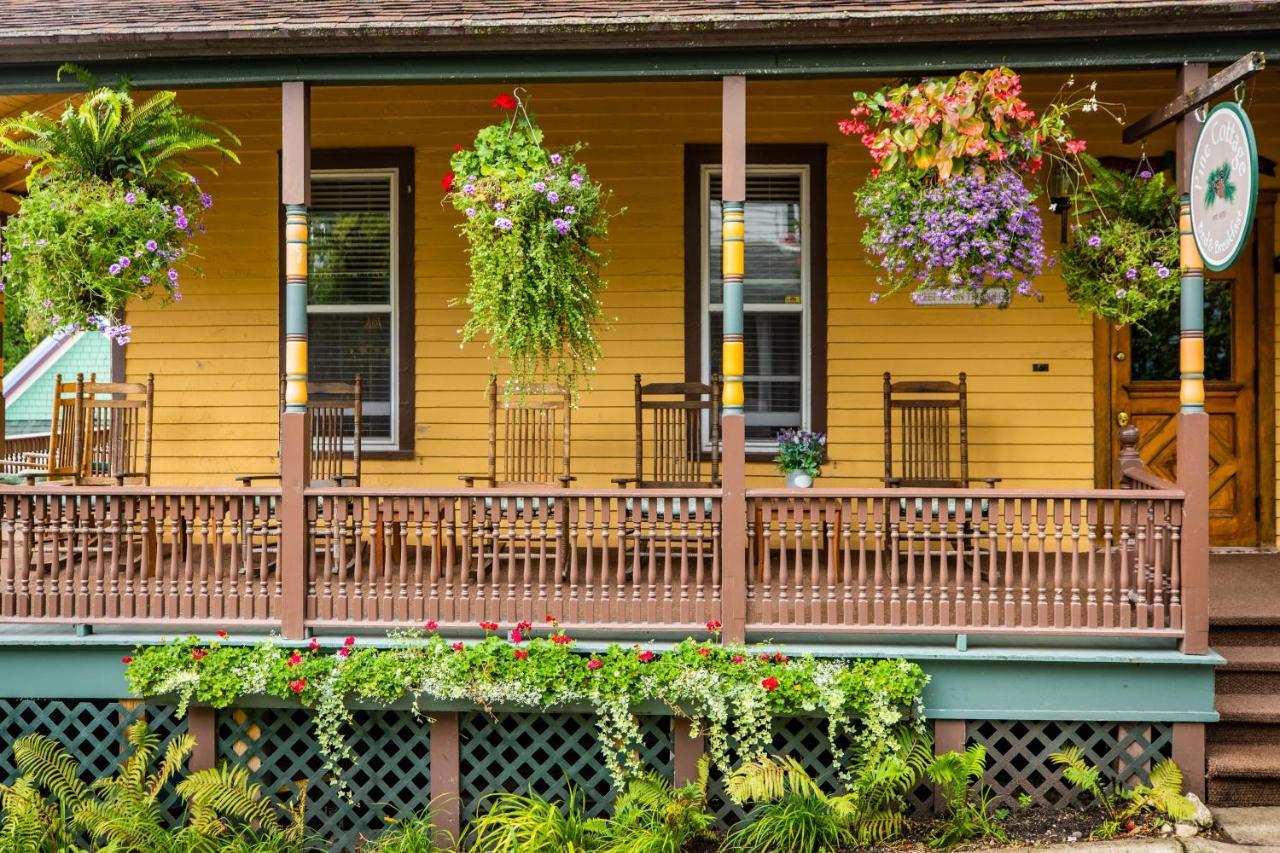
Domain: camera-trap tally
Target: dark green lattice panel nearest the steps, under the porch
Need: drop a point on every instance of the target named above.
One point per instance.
(1018, 755)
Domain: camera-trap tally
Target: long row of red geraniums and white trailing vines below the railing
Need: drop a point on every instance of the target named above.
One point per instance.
(732, 694)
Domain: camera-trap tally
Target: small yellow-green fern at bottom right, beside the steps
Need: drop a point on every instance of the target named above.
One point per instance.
(1163, 796)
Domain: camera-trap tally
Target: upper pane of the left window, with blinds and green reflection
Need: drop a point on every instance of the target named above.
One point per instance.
(351, 240)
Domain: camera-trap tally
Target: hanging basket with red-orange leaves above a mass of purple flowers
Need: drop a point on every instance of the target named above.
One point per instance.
(950, 216)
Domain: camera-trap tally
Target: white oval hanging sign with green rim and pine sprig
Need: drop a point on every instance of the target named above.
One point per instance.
(1224, 186)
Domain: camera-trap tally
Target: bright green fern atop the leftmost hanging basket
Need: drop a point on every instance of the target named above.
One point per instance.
(109, 136)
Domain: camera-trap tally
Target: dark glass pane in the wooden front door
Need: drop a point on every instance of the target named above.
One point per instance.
(1154, 350)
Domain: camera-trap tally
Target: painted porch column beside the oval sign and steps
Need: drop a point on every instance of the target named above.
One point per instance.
(1192, 421)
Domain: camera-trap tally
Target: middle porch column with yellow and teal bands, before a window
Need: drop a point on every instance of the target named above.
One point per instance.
(734, 430)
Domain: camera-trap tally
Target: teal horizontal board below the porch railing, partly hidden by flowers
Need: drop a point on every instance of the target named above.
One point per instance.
(985, 683)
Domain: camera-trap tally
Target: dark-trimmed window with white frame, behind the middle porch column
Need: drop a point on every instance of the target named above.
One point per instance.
(784, 289)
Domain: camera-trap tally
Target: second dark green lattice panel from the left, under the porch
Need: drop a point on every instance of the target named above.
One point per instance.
(391, 778)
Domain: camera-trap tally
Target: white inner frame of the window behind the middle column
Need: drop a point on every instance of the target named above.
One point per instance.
(706, 308)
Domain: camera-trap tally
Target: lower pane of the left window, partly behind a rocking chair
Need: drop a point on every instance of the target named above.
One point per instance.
(344, 345)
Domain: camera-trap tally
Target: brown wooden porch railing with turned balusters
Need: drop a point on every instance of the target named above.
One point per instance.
(830, 563)
